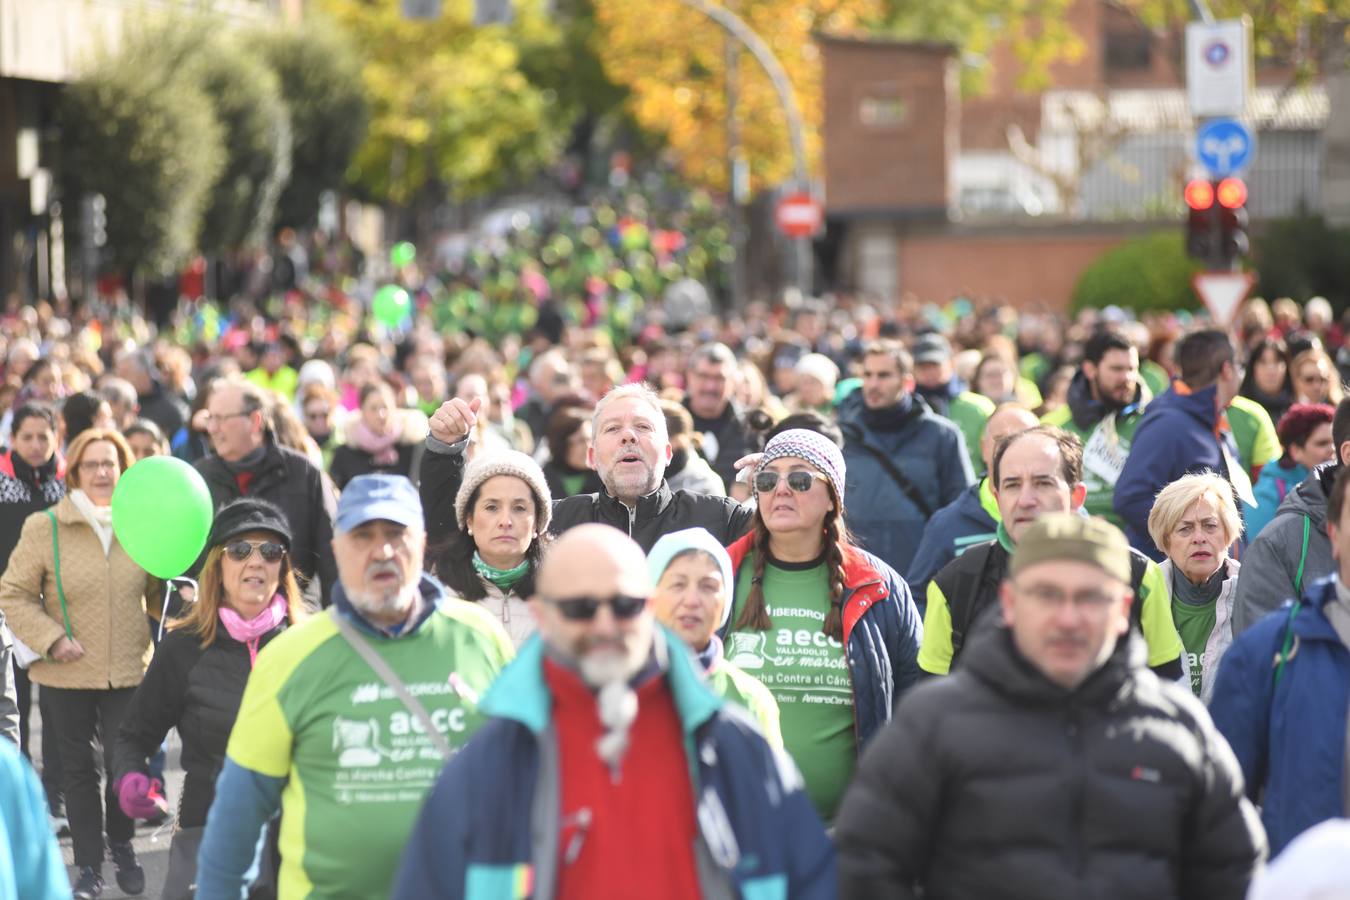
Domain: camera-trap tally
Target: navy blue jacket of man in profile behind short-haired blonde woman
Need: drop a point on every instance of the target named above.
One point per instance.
(1174, 439)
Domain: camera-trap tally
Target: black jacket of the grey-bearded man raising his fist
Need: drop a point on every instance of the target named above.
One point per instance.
(658, 513)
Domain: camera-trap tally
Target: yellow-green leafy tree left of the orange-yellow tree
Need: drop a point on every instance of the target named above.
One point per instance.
(452, 105)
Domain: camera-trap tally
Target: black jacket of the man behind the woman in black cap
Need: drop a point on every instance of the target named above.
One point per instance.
(292, 482)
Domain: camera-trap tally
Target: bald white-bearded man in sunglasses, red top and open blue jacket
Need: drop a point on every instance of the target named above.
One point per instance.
(608, 768)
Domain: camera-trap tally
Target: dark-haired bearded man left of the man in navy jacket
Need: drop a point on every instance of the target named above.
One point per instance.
(1105, 407)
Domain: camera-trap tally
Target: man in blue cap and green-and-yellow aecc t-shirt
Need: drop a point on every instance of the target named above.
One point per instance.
(327, 739)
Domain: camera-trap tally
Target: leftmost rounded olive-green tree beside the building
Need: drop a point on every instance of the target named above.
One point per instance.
(152, 145)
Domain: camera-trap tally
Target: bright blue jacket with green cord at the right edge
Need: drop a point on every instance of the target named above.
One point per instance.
(1290, 740)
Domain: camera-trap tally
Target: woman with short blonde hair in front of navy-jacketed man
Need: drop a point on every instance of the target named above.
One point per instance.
(1195, 522)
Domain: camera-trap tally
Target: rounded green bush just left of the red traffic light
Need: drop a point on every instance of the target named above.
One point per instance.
(1150, 273)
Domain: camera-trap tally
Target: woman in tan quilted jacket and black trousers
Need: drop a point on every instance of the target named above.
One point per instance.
(80, 601)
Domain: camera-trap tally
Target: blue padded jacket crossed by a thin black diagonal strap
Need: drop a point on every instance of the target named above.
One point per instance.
(928, 450)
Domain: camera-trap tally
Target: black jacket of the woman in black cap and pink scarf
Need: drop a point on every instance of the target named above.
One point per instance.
(196, 692)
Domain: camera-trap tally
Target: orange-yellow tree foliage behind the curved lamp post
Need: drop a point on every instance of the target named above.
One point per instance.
(673, 61)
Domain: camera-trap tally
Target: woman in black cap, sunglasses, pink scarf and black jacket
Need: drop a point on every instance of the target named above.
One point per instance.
(248, 596)
